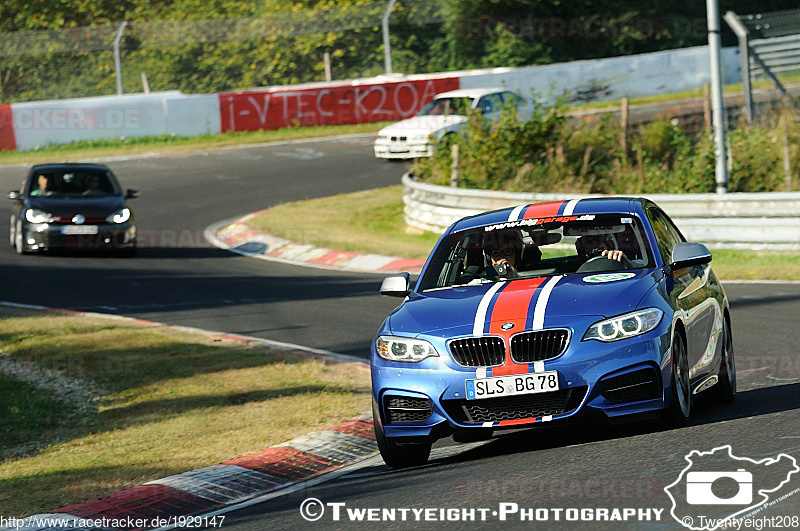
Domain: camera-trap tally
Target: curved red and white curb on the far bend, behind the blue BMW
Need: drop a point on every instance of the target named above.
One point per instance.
(237, 237)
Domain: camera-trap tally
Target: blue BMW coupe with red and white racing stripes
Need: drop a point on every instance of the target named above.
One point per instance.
(548, 312)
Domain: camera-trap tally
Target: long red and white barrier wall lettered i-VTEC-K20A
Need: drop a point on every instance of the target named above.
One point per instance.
(31, 125)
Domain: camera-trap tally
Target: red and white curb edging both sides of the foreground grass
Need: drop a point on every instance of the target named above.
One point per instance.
(162, 502)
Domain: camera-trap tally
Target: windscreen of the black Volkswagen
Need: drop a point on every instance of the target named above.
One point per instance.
(73, 183)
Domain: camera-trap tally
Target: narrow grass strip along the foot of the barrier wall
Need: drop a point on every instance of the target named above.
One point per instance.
(89, 149)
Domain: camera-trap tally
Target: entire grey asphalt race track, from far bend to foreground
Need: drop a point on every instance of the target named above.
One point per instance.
(587, 469)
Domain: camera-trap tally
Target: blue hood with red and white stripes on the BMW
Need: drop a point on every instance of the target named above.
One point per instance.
(527, 303)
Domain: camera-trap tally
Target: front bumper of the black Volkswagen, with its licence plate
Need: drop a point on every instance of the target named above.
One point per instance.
(46, 236)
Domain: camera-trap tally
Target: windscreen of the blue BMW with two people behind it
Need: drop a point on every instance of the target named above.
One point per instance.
(565, 245)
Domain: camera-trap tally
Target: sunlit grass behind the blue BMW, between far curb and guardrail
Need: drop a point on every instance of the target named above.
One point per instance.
(372, 221)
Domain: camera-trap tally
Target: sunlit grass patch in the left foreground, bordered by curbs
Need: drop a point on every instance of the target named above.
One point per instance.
(123, 403)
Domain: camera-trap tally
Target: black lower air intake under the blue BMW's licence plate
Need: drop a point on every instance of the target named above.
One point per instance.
(515, 407)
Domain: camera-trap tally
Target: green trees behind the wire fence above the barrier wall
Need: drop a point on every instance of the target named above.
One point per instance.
(474, 33)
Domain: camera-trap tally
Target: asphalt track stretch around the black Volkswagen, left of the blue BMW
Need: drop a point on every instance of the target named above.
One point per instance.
(181, 279)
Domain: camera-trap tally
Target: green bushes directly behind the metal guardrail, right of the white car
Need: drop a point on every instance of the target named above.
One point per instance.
(551, 154)
